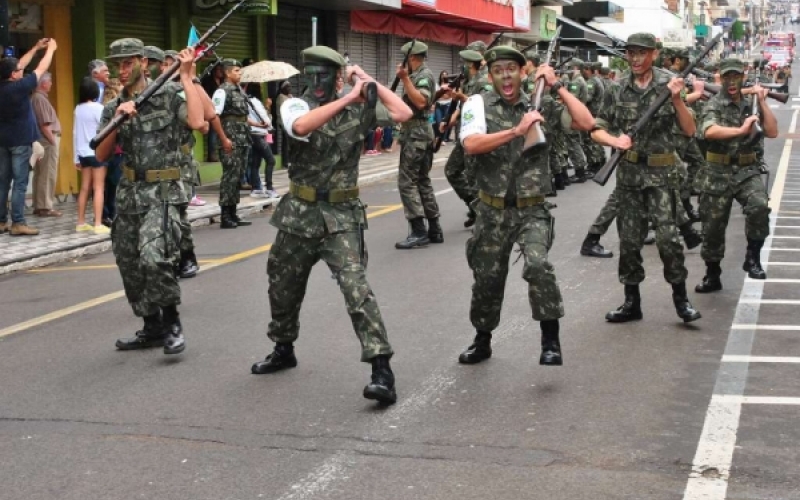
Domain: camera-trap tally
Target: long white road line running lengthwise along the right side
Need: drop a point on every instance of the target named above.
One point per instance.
(718, 439)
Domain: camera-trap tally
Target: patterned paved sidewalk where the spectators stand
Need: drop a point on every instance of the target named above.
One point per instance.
(58, 241)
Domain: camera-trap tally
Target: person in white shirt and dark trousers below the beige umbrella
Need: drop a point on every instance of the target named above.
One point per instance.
(261, 132)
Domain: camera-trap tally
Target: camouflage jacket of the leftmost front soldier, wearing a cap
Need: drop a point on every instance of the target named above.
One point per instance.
(151, 140)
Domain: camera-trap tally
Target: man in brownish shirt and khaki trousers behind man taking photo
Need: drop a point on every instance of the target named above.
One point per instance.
(44, 175)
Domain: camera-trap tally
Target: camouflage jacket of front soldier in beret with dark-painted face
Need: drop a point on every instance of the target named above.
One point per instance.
(327, 160)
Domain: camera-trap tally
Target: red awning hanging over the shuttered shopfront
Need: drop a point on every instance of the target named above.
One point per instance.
(387, 23)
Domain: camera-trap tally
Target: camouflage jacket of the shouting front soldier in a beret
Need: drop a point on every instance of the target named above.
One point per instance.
(505, 170)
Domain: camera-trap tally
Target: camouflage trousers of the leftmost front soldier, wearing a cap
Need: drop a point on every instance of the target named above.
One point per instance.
(145, 260)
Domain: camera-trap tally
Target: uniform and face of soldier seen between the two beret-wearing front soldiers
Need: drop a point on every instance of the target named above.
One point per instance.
(416, 153)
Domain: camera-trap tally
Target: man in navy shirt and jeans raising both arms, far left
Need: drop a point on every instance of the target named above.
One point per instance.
(17, 133)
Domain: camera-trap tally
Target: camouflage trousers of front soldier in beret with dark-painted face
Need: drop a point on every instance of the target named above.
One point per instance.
(288, 267)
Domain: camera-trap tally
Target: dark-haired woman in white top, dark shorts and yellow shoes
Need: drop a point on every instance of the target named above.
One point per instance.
(93, 172)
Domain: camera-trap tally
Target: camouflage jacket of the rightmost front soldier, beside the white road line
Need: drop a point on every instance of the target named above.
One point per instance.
(718, 178)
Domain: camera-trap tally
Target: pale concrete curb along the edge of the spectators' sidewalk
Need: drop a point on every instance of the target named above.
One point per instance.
(206, 218)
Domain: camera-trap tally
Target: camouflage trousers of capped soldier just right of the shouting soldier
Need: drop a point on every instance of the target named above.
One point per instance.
(635, 207)
